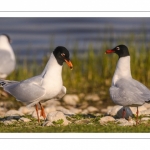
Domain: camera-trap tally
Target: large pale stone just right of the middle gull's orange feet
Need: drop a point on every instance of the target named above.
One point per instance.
(57, 115)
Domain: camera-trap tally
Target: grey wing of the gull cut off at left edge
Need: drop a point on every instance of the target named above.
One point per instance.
(7, 64)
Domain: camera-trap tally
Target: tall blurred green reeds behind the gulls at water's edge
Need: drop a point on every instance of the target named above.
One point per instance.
(93, 70)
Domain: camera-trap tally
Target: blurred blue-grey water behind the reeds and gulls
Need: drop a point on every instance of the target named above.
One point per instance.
(37, 36)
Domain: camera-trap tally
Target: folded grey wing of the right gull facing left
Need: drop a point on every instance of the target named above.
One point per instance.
(129, 92)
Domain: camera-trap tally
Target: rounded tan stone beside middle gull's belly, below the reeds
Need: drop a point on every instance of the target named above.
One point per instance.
(71, 99)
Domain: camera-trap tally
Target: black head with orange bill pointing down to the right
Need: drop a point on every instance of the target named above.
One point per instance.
(62, 55)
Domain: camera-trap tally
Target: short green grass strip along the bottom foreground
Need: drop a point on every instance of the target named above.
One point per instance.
(92, 127)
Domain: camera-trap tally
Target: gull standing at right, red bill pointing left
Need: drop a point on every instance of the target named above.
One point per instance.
(124, 90)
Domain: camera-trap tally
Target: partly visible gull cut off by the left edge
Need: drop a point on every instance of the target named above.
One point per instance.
(7, 57)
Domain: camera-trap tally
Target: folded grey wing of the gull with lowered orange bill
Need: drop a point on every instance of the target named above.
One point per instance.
(26, 91)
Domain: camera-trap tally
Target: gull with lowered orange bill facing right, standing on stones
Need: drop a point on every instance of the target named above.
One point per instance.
(43, 87)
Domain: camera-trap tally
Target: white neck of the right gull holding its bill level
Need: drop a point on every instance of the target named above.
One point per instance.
(122, 69)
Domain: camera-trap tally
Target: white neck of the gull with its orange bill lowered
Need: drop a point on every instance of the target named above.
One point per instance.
(52, 69)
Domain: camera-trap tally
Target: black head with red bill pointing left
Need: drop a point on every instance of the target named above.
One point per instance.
(120, 50)
